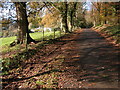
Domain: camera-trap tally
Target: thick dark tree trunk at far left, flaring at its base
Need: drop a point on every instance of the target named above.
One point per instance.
(22, 23)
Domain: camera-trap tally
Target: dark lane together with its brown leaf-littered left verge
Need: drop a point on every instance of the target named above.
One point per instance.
(89, 61)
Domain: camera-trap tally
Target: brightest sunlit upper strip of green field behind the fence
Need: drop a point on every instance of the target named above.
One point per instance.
(37, 36)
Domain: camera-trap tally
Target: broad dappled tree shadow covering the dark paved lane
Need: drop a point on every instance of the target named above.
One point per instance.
(97, 60)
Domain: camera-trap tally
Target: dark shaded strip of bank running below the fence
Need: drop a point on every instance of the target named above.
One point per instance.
(19, 59)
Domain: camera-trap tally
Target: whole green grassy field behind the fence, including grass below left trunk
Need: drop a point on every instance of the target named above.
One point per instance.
(38, 36)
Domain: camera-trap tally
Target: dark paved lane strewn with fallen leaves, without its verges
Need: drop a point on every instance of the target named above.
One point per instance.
(92, 62)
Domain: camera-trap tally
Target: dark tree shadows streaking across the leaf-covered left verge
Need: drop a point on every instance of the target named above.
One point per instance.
(28, 55)
